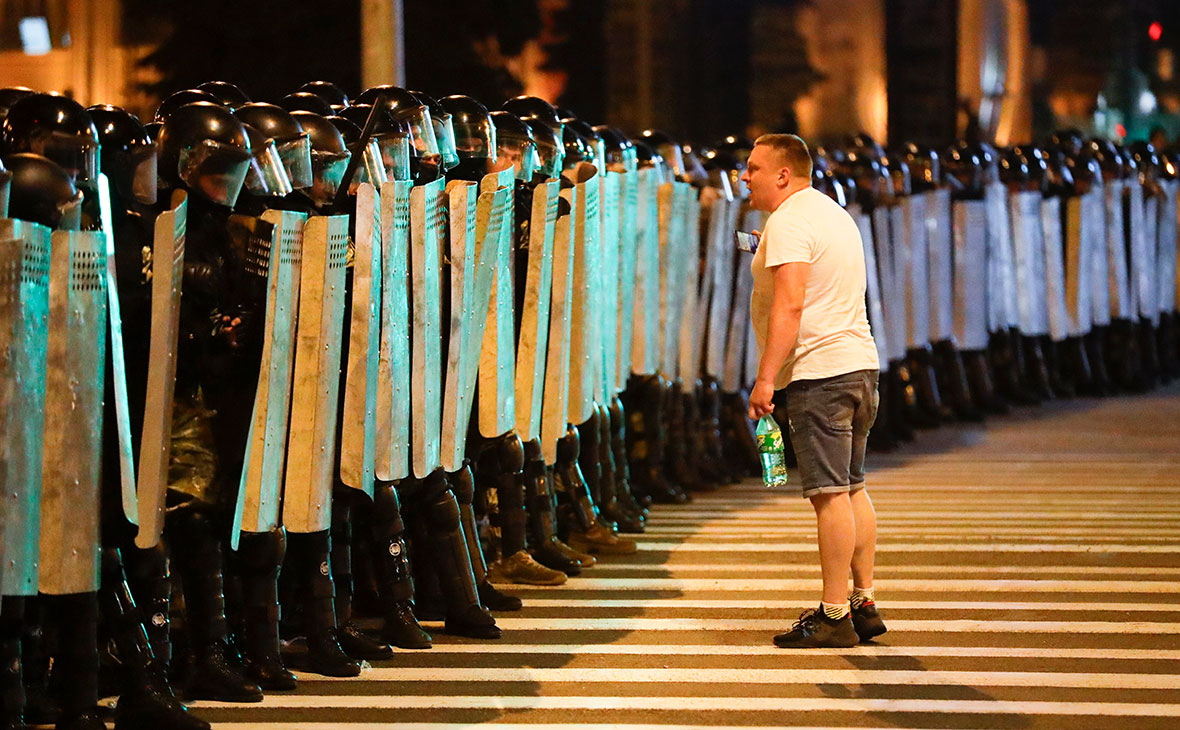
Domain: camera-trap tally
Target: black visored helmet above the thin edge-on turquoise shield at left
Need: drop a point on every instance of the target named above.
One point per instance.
(128, 154)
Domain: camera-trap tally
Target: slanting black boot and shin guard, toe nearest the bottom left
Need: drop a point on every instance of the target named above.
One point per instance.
(146, 700)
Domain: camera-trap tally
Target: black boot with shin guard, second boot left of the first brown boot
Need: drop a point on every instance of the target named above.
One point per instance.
(466, 616)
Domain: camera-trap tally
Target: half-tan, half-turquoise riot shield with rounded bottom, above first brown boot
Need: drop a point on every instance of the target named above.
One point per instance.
(497, 357)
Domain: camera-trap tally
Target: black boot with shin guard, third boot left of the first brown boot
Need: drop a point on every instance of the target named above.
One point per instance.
(392, 569)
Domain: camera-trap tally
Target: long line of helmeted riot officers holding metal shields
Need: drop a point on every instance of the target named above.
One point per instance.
(342, 365)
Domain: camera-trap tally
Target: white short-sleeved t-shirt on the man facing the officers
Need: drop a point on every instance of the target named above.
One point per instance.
(834, 332)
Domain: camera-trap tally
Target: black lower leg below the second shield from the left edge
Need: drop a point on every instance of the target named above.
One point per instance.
(75, 675)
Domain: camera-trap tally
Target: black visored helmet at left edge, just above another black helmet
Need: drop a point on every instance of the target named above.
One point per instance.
(57, 128)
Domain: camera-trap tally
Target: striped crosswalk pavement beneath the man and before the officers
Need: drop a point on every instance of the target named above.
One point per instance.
(1030, 573)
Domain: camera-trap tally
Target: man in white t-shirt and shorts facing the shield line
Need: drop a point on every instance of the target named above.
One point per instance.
(812, 332)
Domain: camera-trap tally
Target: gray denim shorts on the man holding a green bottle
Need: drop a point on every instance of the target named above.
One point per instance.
(829, 423)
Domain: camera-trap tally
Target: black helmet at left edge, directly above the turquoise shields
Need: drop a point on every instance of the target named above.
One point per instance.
(43, 193)
